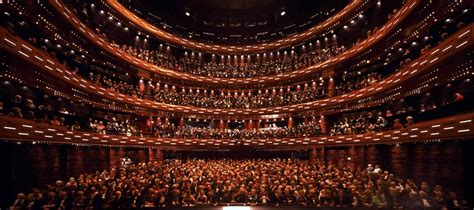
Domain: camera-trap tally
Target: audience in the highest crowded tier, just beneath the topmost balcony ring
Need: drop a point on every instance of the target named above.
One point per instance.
(234, 69)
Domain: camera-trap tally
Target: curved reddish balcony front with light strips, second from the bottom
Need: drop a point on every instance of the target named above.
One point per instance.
(406, 81)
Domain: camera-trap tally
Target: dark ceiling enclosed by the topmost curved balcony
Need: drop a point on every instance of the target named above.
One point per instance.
(235, 21)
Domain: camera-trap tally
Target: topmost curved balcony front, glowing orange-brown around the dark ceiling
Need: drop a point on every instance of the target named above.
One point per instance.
(341, 17)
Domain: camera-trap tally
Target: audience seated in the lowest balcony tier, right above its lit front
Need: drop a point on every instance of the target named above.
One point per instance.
(61, 112)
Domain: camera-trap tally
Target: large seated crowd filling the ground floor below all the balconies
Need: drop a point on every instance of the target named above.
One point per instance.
(200, 182)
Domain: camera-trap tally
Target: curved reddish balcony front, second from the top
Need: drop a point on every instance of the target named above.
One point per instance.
(406, 9)
